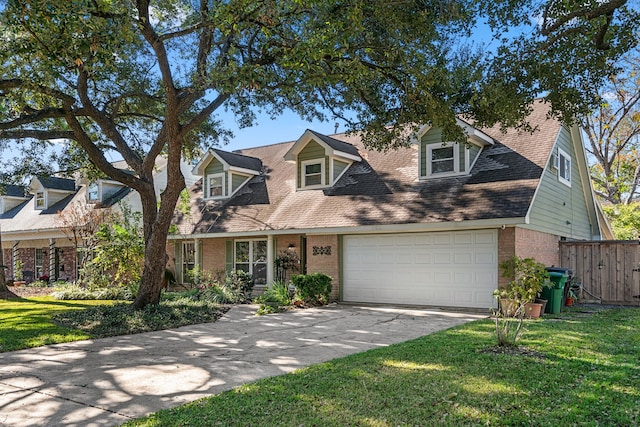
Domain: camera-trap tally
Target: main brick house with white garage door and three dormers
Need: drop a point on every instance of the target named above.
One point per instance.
(427, 225)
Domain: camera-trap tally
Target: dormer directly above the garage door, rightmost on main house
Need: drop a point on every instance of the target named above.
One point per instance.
(440, 158)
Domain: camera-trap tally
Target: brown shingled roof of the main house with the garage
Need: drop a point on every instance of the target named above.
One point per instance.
(383, 188)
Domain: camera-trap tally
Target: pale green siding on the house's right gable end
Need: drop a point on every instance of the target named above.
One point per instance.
(557, 208)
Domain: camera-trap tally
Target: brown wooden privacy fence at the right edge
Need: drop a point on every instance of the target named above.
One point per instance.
(608, 270)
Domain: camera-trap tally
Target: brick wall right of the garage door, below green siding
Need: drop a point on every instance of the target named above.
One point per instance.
(525, 243)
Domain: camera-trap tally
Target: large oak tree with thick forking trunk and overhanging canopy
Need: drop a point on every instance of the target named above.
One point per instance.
(146, 79)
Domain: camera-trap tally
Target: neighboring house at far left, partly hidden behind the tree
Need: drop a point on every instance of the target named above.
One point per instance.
(31, 230)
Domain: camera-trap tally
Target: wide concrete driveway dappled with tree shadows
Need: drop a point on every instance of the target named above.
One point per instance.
(108, 381)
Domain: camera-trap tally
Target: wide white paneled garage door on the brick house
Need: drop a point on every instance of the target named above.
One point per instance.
(456, 269)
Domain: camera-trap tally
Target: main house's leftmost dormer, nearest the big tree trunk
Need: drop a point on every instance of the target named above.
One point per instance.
(224, 173)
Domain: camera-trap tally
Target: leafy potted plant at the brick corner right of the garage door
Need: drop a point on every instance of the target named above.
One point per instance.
(527, 278)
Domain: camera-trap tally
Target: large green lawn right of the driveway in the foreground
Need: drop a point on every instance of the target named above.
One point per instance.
(580, 369)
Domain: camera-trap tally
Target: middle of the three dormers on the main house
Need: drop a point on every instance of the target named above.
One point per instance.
(320, 160)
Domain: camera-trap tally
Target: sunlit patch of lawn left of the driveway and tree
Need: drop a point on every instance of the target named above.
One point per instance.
(26, 323)
